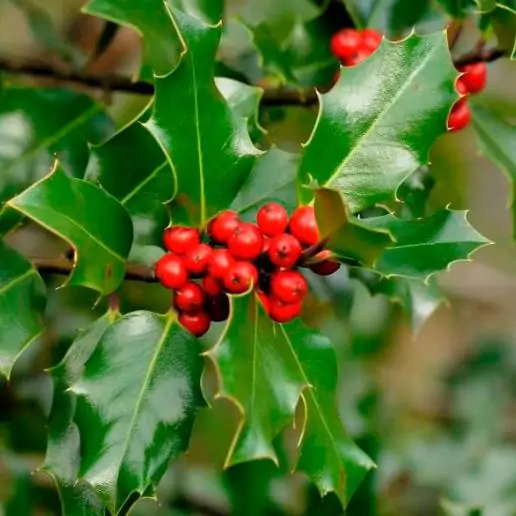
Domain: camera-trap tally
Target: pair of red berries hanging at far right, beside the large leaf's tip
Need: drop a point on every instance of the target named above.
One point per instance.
(472, 81)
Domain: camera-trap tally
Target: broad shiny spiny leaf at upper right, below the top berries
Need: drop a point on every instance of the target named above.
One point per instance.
(376, 127)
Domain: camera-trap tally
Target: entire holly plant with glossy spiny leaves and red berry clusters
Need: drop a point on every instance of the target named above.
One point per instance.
(176, 240)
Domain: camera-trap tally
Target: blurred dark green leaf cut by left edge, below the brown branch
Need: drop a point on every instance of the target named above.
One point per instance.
(37, 124)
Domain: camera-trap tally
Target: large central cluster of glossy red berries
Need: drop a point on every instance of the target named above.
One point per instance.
(237, 255)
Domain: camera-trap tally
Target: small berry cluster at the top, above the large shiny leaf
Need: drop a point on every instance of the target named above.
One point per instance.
(353, 46)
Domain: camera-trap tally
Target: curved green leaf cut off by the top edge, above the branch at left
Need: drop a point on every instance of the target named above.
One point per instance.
(162, 45)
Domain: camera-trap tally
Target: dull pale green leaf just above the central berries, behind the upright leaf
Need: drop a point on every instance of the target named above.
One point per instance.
(272, 179)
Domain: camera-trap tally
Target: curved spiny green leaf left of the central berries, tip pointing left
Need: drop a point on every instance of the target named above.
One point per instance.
(96, 224)
